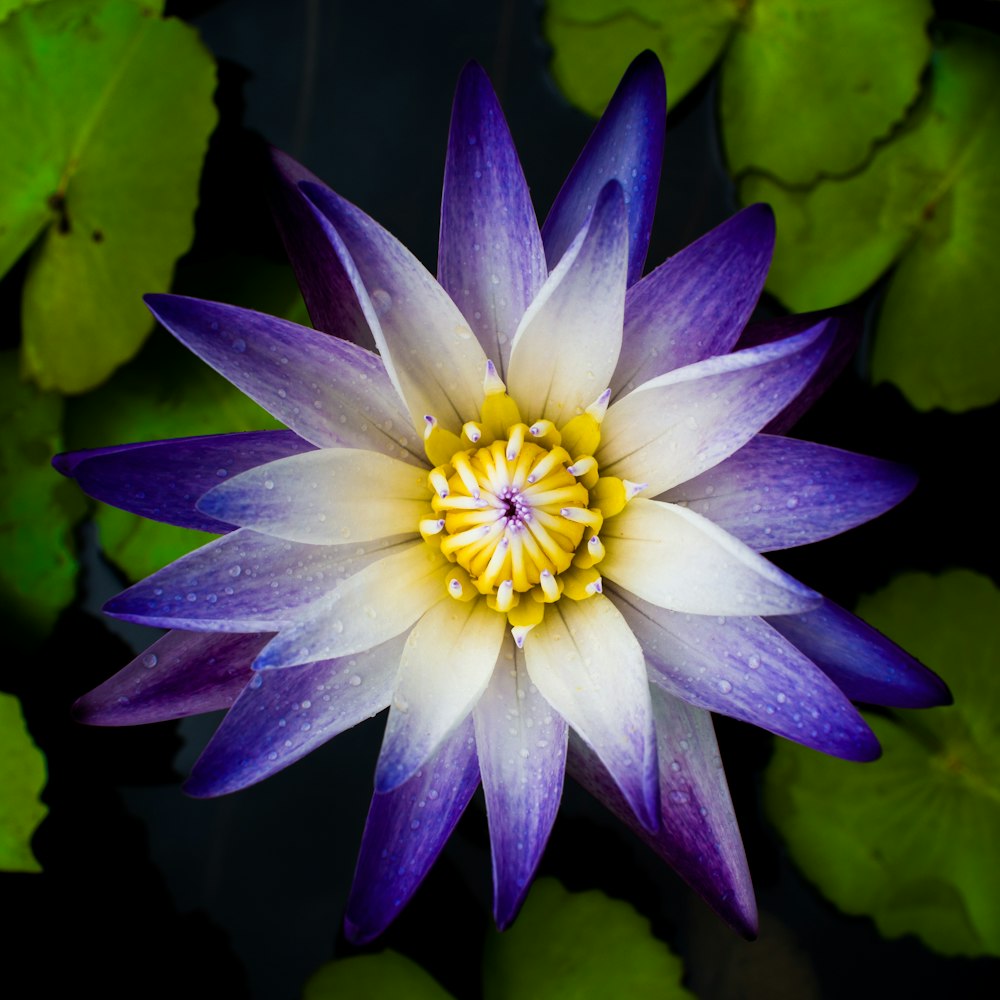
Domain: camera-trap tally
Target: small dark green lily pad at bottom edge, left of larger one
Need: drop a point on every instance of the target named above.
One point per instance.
(373, 977)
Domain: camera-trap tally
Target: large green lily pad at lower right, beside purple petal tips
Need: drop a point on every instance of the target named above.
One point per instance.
(911, 840)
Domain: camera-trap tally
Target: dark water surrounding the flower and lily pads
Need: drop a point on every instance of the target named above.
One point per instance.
(148, 893)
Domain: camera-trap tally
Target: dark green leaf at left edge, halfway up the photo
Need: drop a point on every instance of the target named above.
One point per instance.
(37, 507)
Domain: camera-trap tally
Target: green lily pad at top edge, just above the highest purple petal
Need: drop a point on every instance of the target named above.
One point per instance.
(595, 40)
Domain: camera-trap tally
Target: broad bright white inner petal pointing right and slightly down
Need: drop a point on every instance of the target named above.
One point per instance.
(677, 559)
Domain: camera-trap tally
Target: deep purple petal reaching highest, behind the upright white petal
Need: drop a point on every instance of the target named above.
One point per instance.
(627, 146)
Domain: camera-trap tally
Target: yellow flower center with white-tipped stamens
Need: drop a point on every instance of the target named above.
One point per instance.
(519, 509)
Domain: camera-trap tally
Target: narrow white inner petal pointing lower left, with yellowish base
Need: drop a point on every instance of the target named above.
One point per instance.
(381, 601)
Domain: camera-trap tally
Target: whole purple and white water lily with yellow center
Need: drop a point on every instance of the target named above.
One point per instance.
(531, 525)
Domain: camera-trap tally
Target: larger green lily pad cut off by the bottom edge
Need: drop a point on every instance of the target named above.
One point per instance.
(579, 945)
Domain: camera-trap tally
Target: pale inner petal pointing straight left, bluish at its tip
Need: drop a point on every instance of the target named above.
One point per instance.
(333, 497)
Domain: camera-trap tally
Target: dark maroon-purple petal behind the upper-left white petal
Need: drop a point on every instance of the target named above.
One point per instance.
(327, 290)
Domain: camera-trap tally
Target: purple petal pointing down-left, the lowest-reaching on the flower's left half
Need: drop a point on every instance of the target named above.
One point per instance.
(405, 832)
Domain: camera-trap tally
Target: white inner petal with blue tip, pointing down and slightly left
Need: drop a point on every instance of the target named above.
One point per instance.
(446, 665)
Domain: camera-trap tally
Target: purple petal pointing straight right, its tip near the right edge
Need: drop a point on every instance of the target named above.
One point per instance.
(777, 492)
